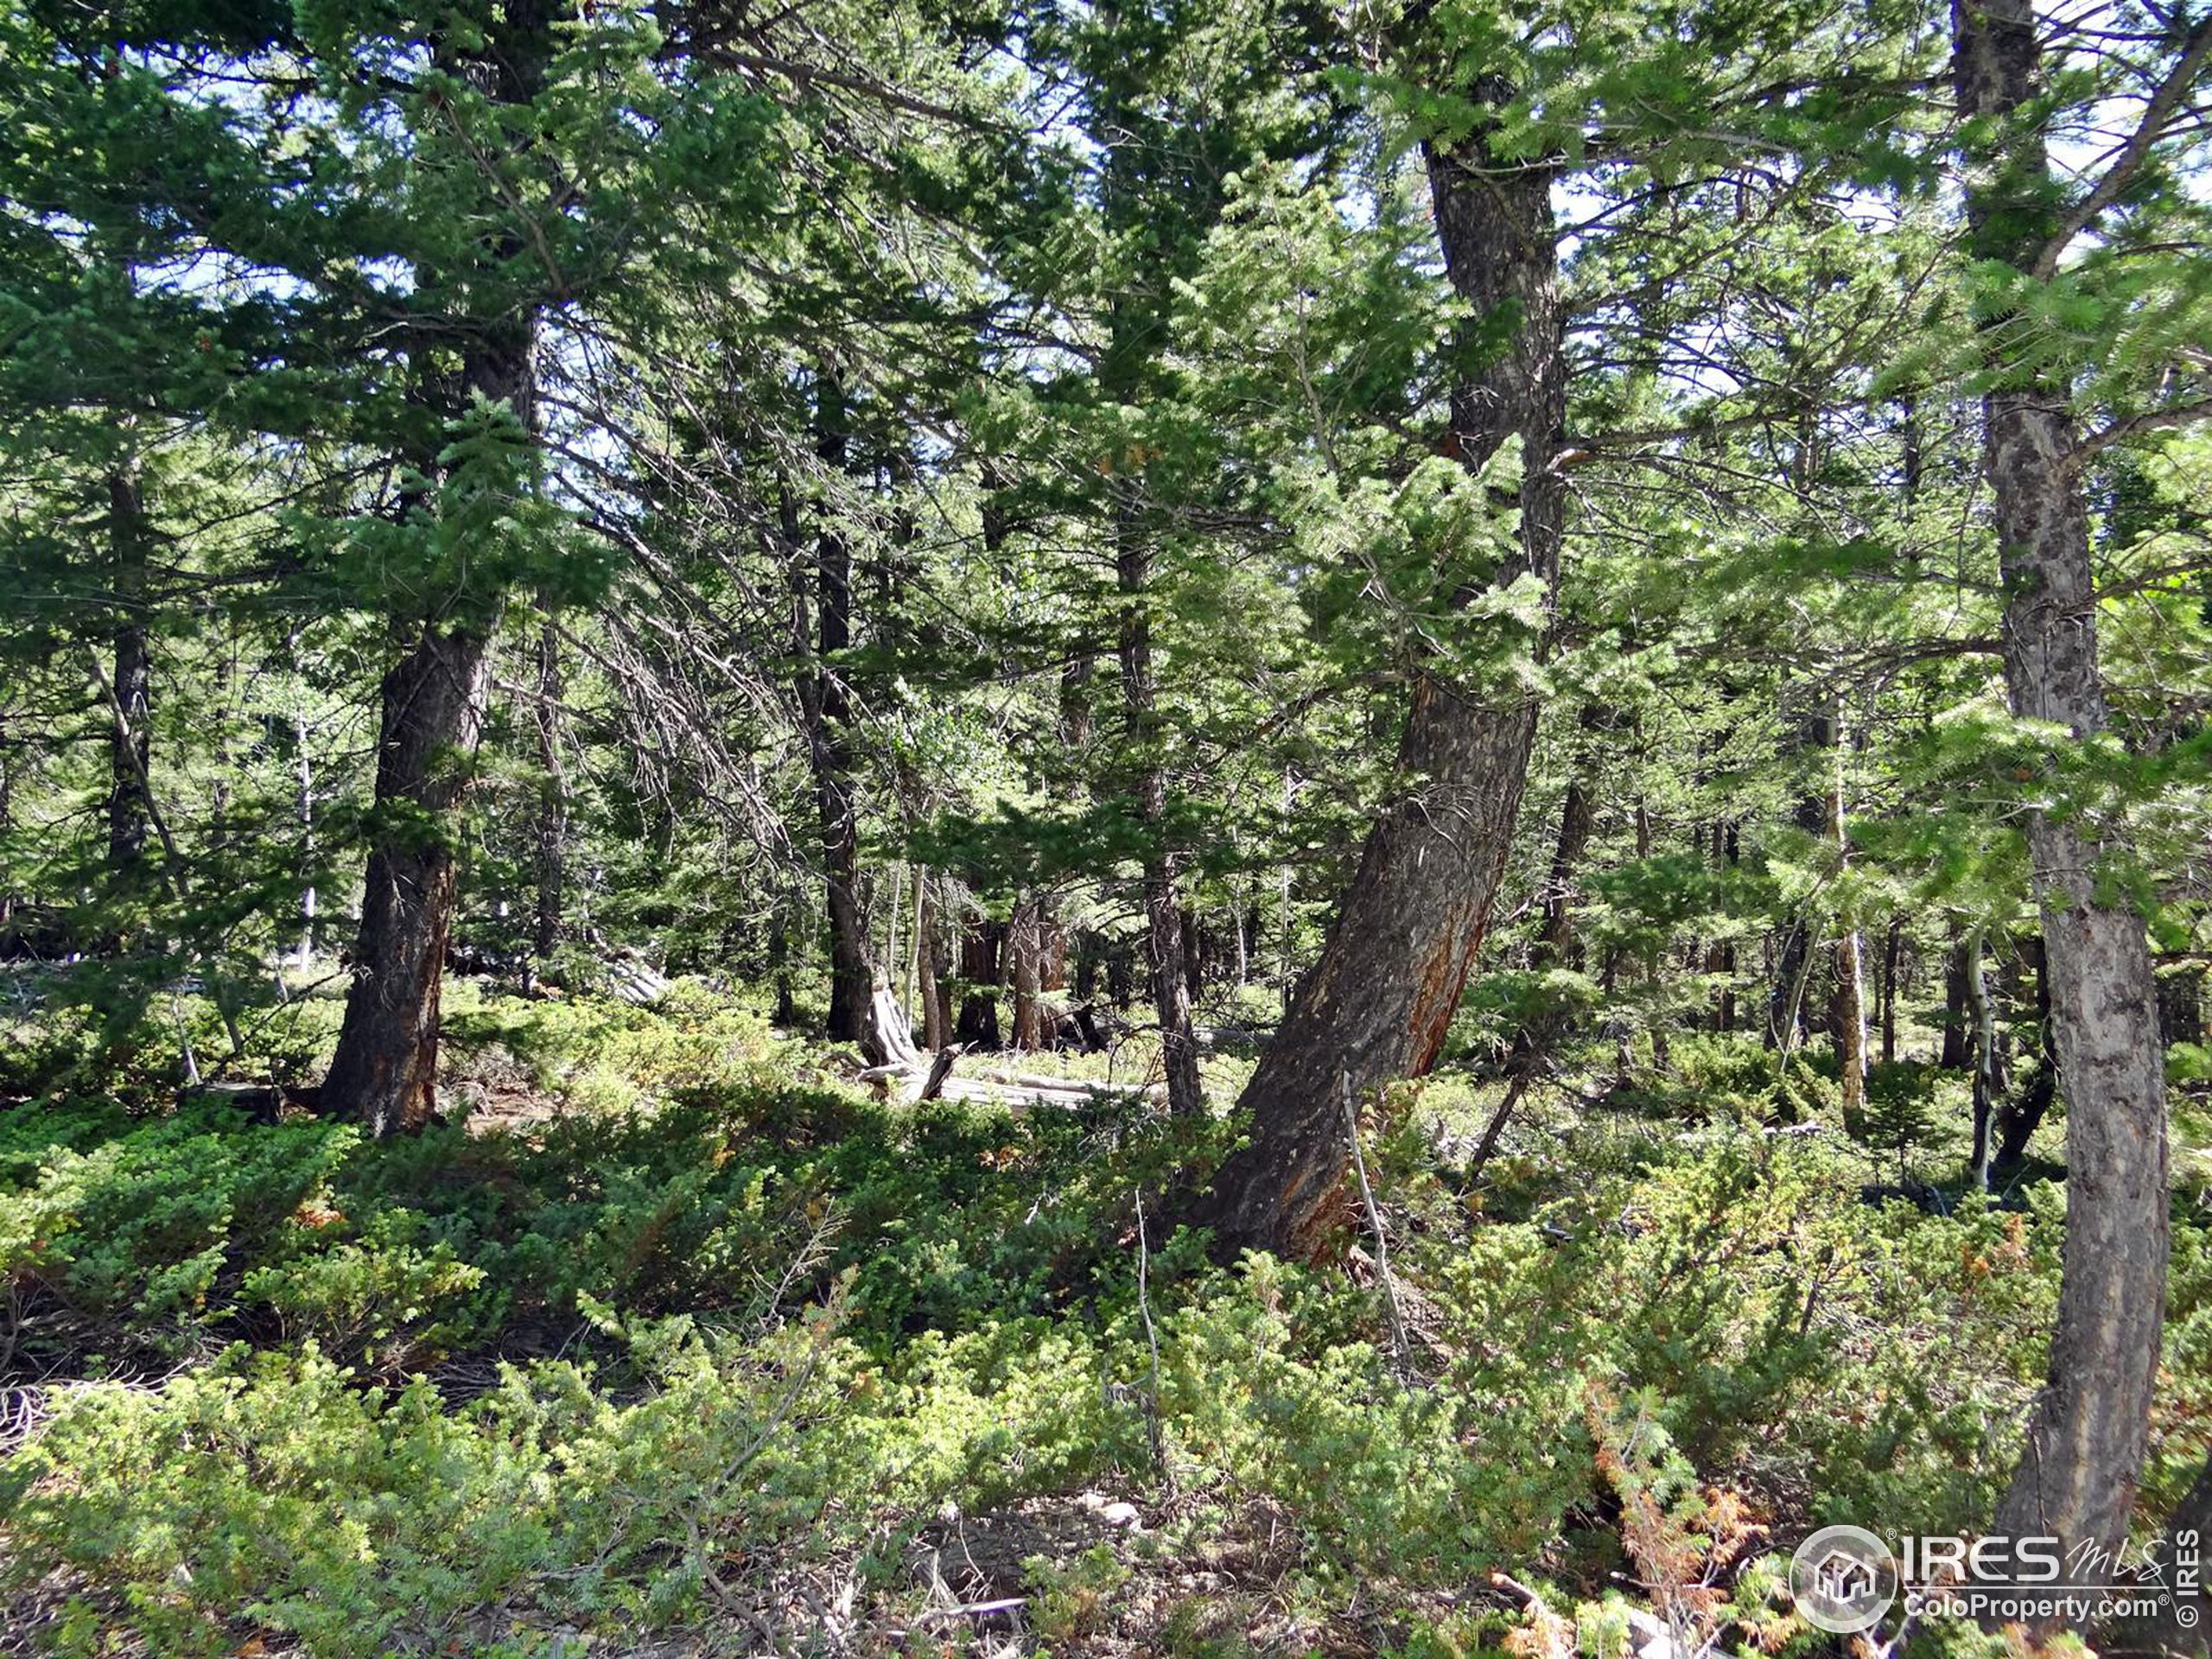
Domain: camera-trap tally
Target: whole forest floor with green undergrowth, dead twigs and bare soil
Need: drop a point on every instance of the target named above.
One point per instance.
(678, 1342)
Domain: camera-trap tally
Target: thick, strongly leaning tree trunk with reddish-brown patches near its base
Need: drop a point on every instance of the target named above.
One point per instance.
(1379, 1001)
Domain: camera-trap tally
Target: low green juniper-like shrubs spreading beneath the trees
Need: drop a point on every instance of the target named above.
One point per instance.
(797, 1328)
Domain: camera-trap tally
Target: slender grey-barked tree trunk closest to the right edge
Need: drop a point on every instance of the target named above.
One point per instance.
(2089, 1432)
